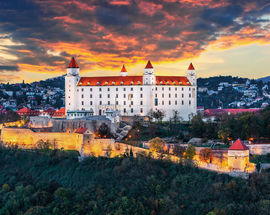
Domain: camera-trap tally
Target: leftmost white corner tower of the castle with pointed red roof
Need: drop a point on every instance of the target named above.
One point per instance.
(71, 80)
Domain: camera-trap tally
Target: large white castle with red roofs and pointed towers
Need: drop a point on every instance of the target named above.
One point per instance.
(130, 95)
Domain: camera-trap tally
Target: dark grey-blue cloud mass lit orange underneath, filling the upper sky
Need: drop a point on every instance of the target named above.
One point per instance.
(153, 29)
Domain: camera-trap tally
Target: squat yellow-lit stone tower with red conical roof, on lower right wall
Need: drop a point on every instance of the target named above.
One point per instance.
(238, 156)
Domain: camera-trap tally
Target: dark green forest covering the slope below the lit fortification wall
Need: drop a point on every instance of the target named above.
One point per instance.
(54, 182)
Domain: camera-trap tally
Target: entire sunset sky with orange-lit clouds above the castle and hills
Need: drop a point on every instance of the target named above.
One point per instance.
(226, 37)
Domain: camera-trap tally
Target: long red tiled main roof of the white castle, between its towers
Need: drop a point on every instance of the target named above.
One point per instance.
(131, 80)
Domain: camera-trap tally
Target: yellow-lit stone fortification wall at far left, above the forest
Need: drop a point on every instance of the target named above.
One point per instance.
(26, 138)
